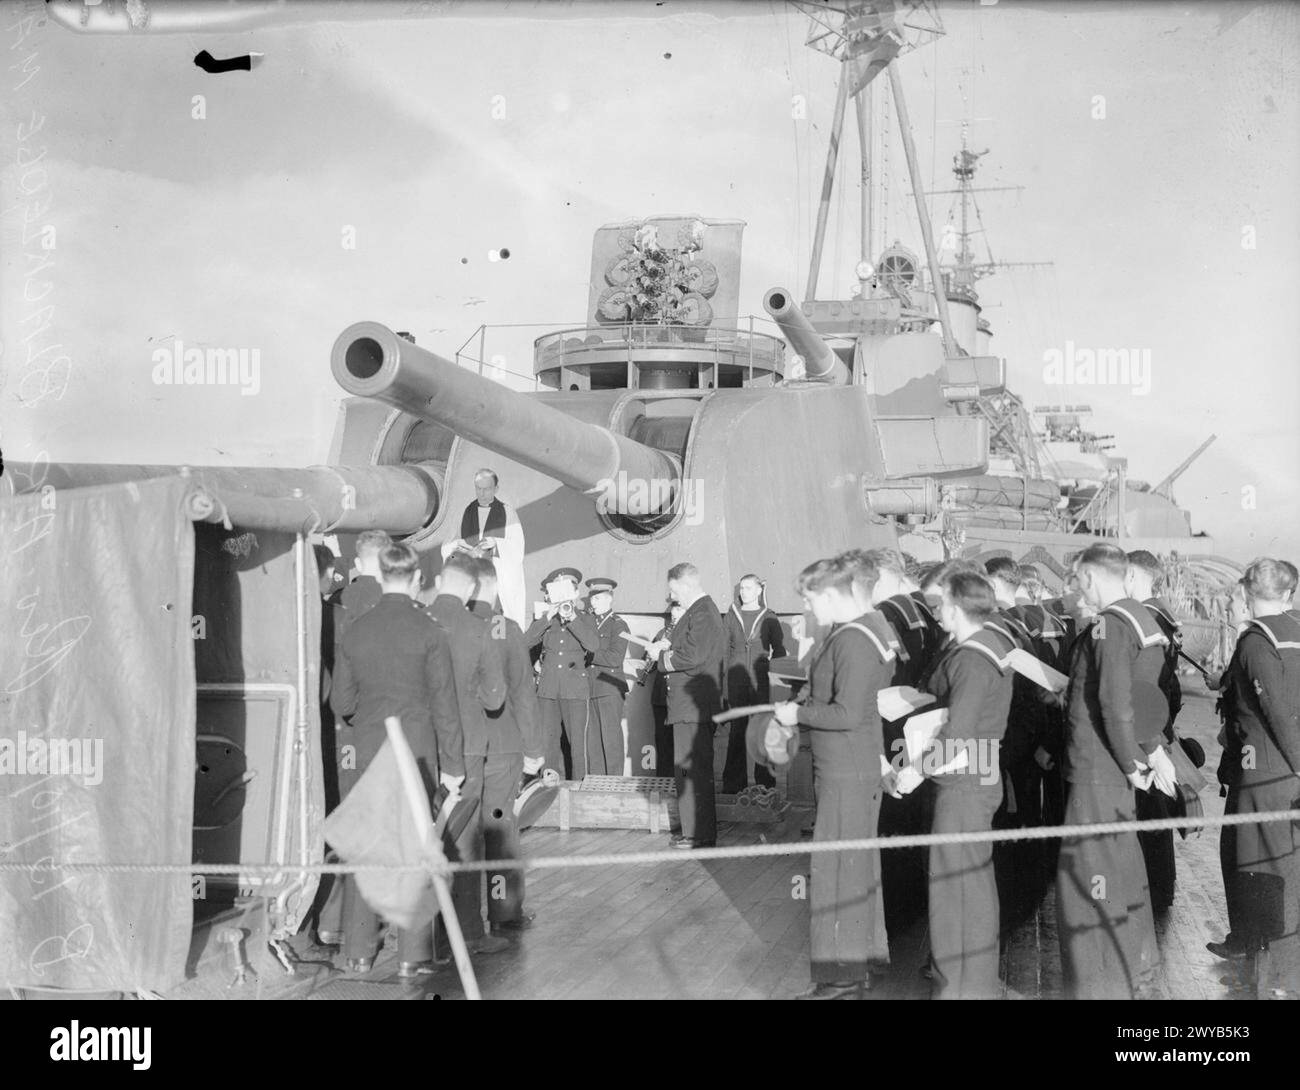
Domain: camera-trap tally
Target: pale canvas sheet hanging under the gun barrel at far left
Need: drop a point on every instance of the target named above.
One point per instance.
(97, 734)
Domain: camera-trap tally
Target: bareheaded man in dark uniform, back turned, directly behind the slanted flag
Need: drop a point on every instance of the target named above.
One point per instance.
(396, 661)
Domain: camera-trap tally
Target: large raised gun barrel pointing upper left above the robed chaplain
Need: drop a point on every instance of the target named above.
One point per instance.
(371, 361)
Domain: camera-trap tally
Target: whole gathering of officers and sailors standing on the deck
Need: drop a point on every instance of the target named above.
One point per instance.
(488, 706)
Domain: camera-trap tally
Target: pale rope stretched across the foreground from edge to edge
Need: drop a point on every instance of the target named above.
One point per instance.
(673, 855)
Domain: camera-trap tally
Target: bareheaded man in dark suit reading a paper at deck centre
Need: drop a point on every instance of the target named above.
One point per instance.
(694, 660)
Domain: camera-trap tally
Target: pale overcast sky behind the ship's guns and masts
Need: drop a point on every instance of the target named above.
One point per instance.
(1159, 148)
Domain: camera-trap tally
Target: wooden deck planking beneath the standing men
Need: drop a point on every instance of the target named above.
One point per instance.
(733, 929)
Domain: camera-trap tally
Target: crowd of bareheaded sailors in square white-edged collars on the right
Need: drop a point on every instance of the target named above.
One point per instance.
(1102, 750)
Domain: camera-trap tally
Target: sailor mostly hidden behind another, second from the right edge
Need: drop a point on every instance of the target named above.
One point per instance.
(1158, 846)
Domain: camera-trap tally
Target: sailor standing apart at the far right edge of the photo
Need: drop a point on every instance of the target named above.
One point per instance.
(1262, 771)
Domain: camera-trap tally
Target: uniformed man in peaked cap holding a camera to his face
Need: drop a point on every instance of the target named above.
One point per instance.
(565, 637)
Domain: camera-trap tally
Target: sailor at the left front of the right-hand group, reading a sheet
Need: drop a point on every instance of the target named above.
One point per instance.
(848, 669)
